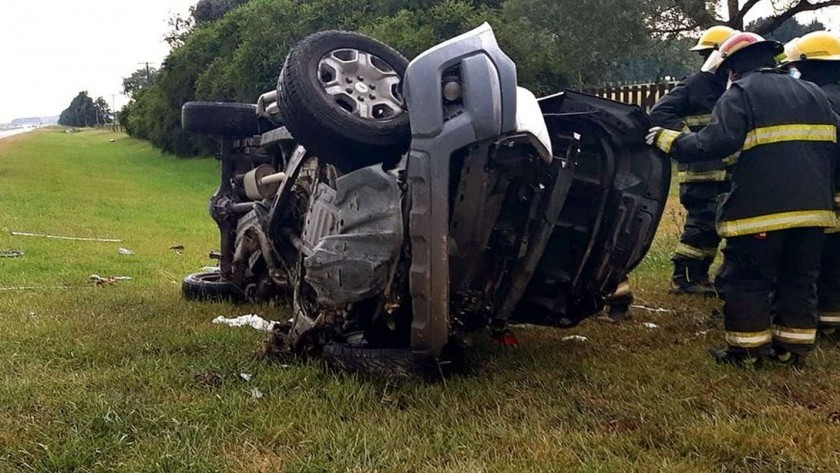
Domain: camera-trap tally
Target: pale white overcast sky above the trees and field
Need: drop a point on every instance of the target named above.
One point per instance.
(50, 50)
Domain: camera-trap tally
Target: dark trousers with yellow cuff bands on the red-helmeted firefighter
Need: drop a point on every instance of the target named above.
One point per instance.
(771, 293)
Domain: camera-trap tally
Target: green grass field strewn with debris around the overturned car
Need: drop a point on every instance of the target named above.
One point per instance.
(129, 377)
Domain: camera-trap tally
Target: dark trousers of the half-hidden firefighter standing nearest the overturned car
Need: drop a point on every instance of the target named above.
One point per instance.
(699, 241)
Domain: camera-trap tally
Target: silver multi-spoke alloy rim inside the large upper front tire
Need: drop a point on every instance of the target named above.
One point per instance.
(361, 84)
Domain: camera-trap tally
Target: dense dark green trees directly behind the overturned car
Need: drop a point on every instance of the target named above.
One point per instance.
(232, 50)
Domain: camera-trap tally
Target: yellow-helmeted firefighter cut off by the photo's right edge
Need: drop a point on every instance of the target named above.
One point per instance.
(815, 57)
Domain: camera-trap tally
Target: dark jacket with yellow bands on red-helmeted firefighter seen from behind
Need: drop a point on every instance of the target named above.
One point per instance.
(786, 136)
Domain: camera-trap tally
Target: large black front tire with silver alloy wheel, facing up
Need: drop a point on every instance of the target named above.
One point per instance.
(325, 123)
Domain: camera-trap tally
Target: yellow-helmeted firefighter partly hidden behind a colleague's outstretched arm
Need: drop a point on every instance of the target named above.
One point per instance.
(688, 107)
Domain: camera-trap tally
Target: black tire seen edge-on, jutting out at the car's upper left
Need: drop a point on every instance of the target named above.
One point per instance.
(225, 119)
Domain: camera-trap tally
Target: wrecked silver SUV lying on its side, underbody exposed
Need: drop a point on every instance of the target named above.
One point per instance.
(399, 207)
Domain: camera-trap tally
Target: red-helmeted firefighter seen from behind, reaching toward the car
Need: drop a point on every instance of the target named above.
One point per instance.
(780, 202)
